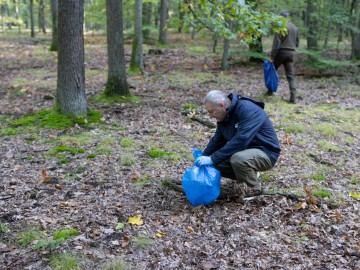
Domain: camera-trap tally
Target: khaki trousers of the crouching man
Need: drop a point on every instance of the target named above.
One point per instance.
(243, 166)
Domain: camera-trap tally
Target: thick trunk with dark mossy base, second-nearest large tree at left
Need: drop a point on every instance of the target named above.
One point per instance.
(116, 83)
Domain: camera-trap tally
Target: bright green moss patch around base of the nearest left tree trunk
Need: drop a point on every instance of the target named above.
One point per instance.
(54, 120)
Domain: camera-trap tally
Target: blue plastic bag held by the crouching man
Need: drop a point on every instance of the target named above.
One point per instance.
(201, 184)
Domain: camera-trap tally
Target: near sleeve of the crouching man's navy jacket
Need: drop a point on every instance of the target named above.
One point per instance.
(249, 124)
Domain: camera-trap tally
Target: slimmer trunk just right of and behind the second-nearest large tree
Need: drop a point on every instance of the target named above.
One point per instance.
(137, 59)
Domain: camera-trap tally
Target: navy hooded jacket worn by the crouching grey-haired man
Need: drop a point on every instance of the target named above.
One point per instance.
(246, 126)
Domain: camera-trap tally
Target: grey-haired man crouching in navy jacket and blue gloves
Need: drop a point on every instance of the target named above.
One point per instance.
(245, 141)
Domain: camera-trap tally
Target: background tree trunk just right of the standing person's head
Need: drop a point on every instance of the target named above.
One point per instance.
(312, 25)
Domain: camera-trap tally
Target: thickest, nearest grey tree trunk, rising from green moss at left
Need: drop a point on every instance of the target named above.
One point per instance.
(71, 96)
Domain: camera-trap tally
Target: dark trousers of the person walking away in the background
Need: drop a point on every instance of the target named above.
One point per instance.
(287, 58)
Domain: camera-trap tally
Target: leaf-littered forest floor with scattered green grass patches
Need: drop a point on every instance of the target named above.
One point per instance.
(111, 194)
